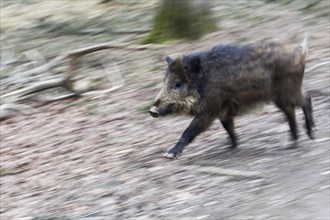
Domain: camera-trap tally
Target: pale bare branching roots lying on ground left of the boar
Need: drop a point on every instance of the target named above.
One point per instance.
(10, 109)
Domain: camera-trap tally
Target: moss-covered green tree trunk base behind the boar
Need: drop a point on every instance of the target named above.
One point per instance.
(180, 20)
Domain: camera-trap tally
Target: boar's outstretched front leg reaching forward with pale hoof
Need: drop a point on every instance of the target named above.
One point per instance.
(197, 126)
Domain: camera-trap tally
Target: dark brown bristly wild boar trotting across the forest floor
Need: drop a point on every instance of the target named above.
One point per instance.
(227, 81)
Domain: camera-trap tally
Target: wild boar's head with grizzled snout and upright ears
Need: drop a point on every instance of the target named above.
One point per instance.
(182, 87)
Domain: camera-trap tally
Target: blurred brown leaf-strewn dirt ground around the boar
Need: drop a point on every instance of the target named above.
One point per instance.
(100, 157)
